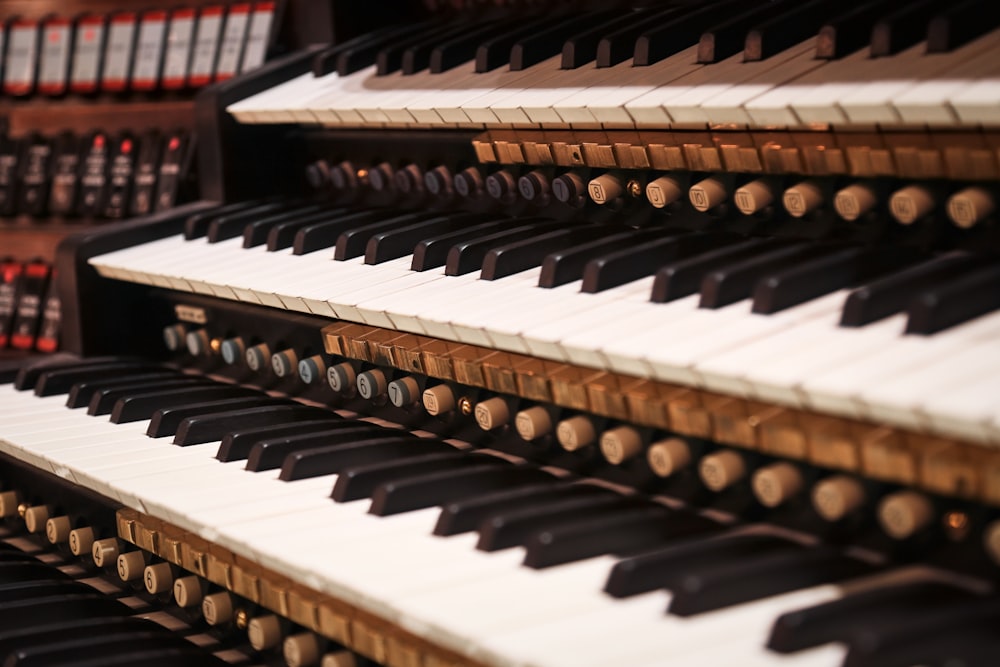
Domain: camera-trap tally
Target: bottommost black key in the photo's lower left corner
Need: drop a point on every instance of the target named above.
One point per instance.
(66, 651)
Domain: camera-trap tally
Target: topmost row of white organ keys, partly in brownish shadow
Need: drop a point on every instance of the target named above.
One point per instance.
(790, 88)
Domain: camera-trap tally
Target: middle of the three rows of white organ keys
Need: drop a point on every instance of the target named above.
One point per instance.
(785, 357)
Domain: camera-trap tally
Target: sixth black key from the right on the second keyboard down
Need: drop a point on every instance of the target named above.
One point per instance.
(624, 266)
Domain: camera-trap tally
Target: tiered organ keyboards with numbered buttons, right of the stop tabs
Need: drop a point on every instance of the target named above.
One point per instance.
(573, 335)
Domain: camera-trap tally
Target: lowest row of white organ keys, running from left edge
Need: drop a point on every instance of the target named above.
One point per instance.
(482, 604)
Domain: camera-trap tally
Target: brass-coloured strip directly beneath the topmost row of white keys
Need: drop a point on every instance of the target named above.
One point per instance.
(954, 154)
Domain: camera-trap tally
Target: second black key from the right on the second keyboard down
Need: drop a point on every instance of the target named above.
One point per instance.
(893, 293)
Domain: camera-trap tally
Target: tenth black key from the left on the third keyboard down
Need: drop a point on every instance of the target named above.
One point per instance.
(329, 460)
